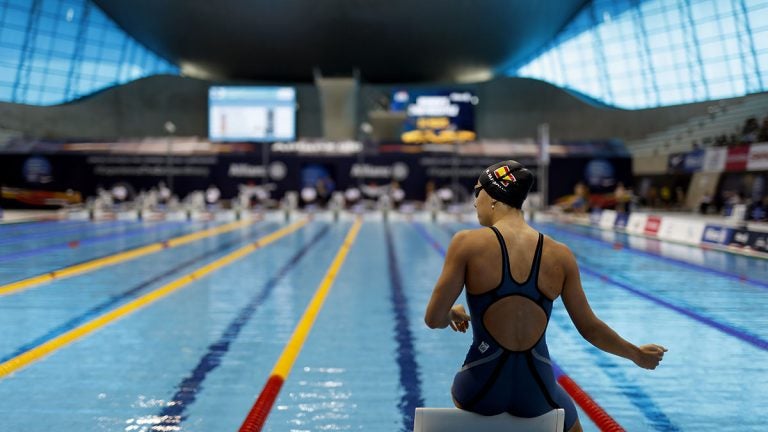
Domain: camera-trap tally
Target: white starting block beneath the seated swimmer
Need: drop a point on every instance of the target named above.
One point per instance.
(456, 420)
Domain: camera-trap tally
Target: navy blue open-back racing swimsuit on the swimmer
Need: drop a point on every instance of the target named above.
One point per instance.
(494, 379)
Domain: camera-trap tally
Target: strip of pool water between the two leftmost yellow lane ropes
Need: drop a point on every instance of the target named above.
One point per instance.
(59, 307)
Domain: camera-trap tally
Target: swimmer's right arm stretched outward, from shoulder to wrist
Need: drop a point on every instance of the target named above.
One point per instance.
(591, 328)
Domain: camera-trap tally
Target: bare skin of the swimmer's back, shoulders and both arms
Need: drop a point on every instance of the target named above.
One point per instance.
(558, 275)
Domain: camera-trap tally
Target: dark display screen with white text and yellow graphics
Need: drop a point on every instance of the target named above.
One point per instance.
(436, 115)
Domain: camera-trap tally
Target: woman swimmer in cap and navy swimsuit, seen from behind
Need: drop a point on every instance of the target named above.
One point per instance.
(513, 274)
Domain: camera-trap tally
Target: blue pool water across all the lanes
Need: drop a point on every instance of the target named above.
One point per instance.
(197, 359)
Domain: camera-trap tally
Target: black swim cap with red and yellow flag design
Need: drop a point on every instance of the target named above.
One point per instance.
(507, 181)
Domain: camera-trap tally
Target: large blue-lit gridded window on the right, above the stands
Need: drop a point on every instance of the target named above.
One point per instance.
(648, 53)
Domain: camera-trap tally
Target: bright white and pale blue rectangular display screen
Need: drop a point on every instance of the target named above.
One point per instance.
(237, 113)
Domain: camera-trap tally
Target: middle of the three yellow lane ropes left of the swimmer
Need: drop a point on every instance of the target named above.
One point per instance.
(49, 347)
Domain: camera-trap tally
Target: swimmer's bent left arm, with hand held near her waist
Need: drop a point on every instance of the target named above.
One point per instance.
(439, 312)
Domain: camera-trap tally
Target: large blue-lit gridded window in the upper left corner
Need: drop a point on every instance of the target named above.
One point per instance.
(71, 50)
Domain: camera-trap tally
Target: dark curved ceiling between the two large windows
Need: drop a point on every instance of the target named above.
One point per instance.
(384, 40)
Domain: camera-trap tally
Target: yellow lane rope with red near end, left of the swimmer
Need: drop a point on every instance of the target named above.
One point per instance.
(258, 415)
